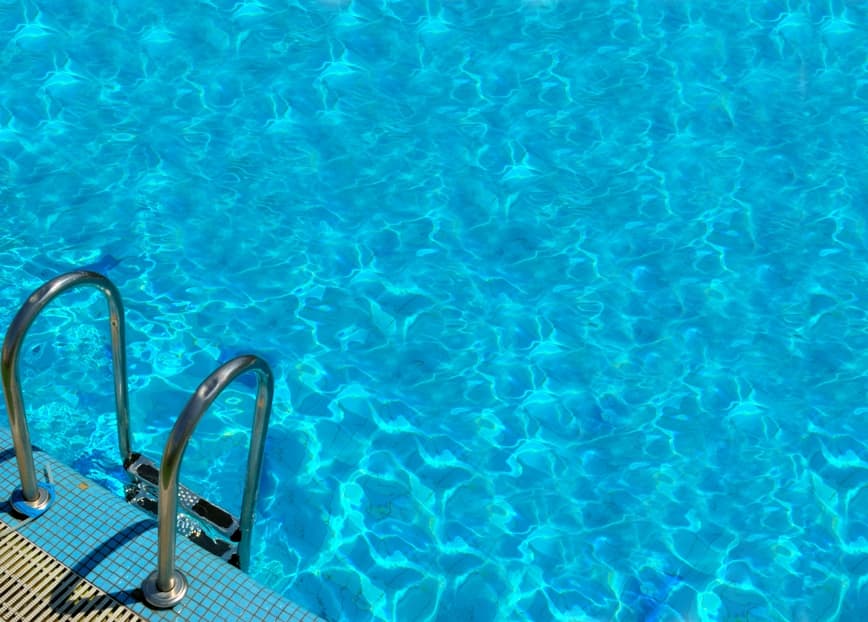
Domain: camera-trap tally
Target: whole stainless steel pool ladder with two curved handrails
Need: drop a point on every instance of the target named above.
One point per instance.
(166, 586)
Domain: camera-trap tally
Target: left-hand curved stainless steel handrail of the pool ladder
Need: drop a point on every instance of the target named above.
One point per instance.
(36, 498)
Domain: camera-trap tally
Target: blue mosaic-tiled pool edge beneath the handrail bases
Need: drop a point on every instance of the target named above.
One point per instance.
(114, 546)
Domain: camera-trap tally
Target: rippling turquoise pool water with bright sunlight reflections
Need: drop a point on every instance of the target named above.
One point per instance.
(566, 300)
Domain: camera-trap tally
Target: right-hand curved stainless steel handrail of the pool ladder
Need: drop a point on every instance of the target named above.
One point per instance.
(166, 586)
